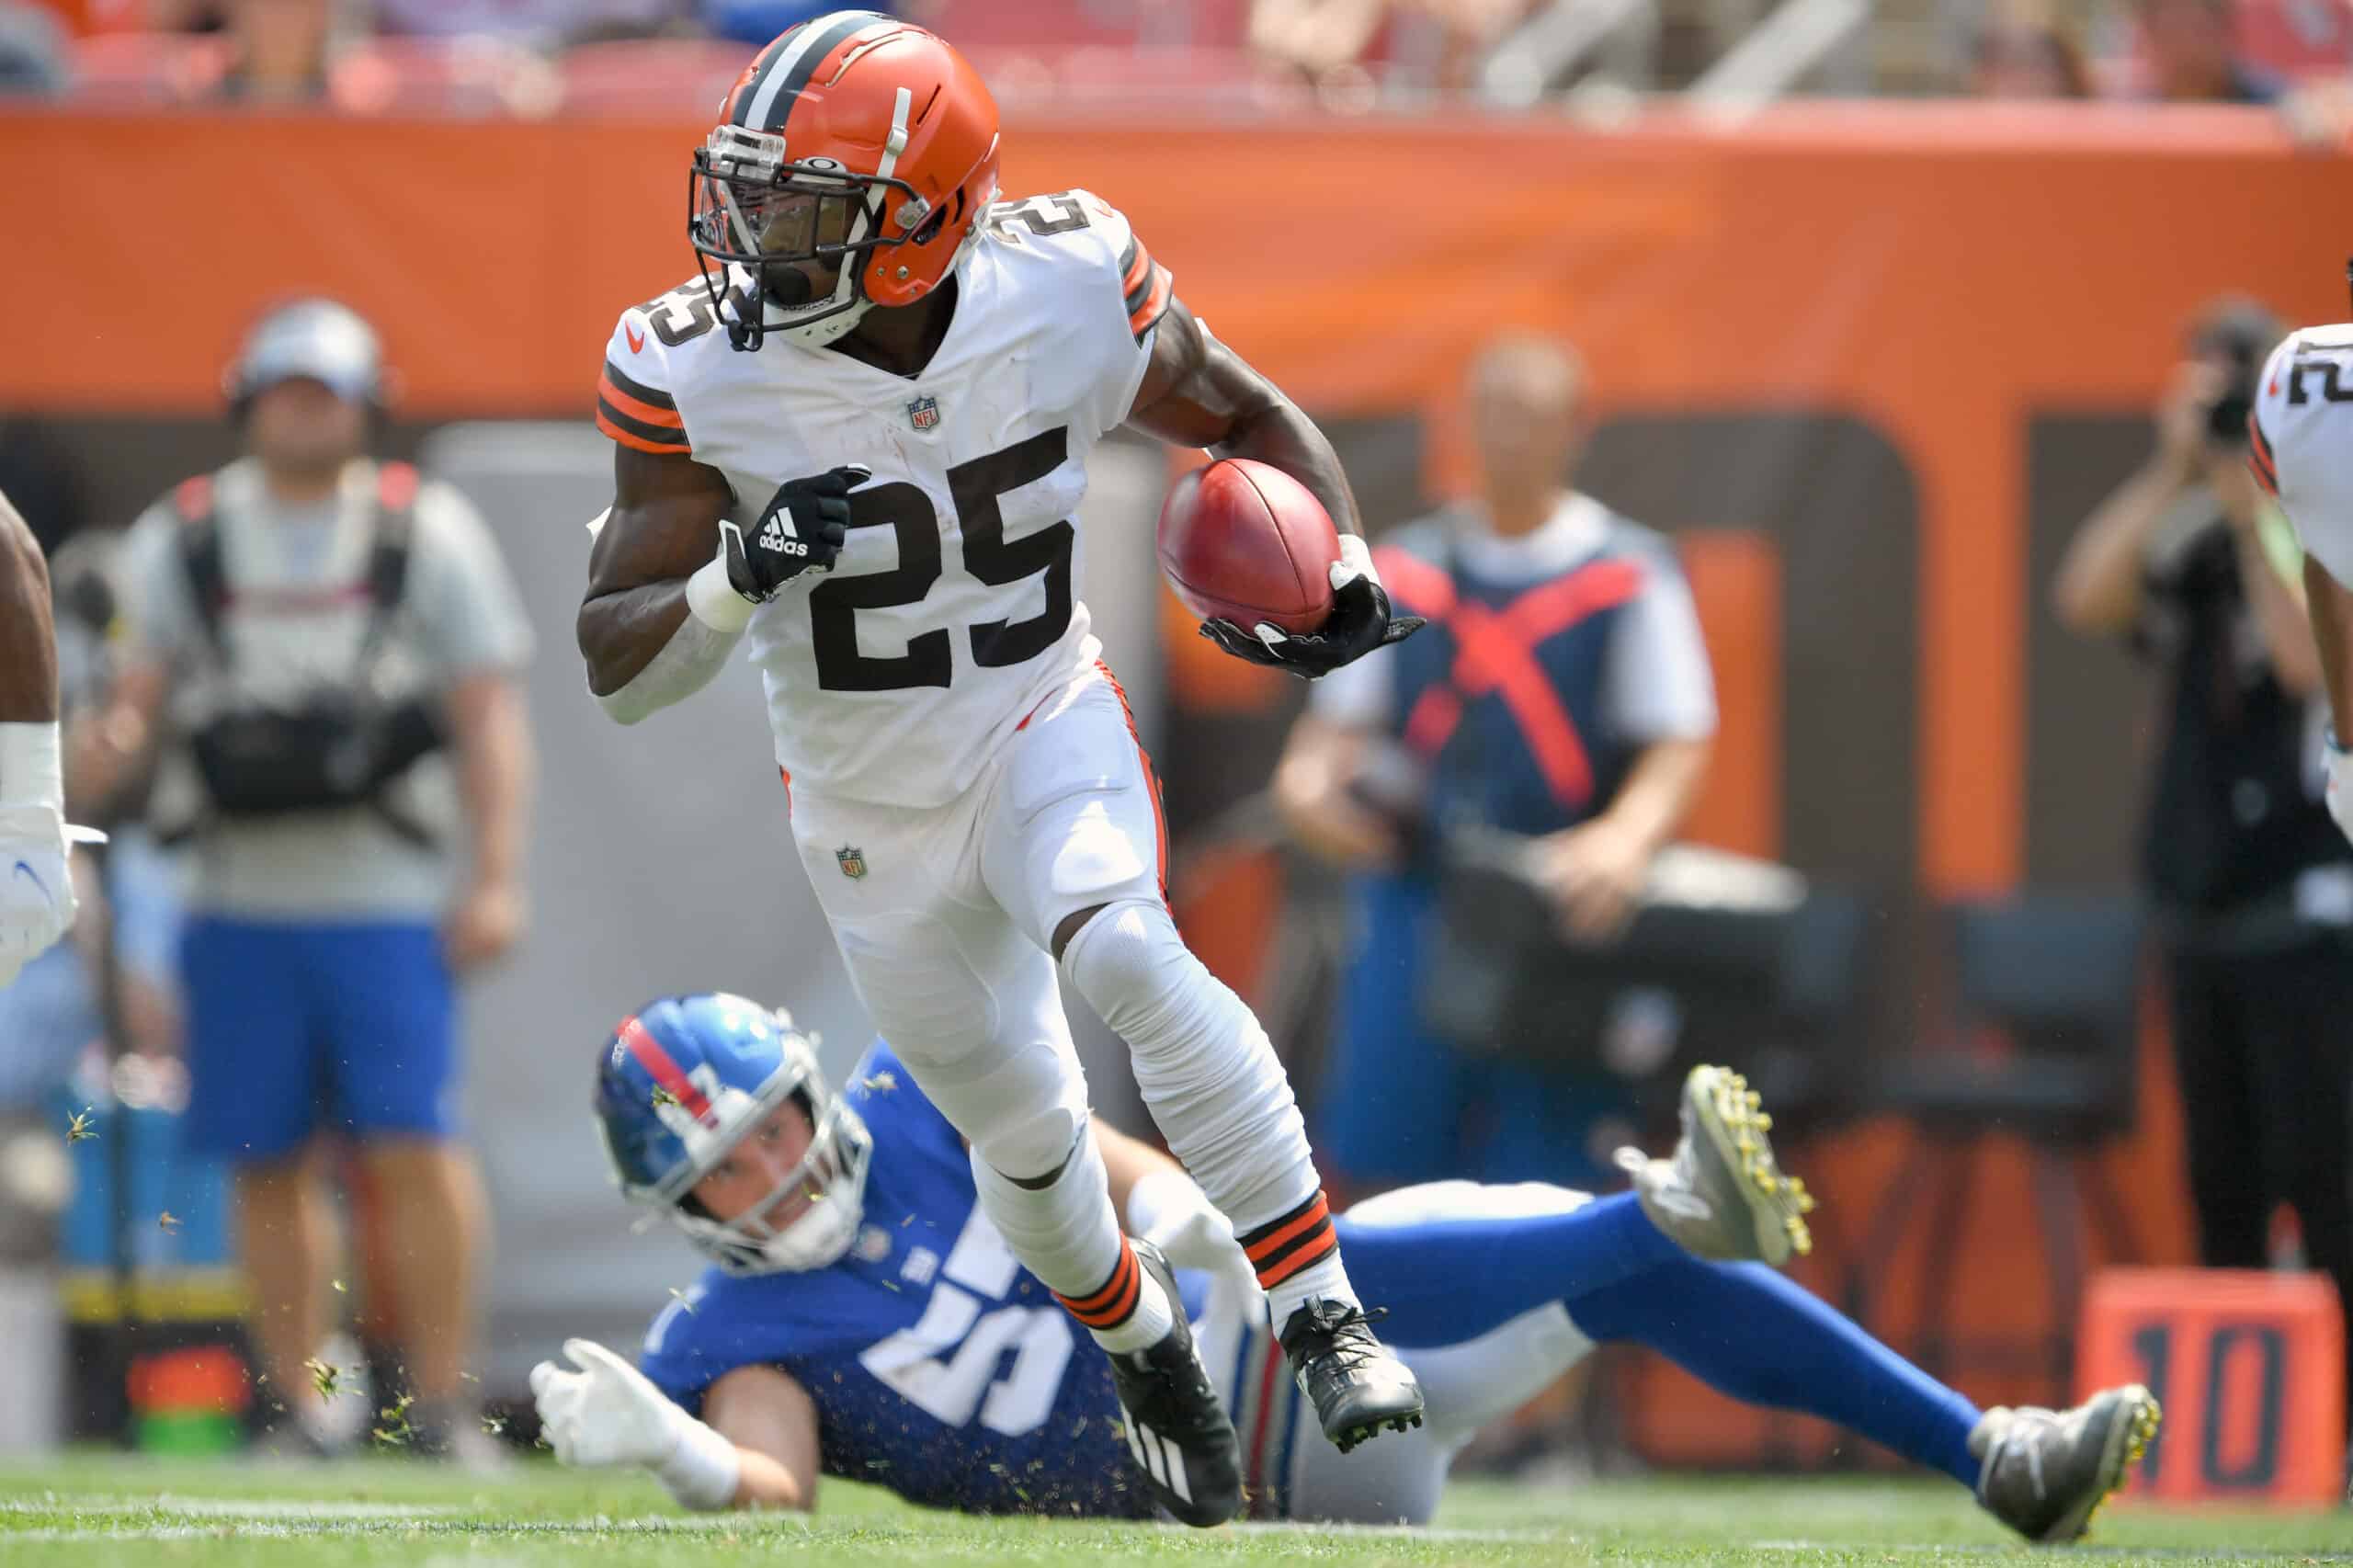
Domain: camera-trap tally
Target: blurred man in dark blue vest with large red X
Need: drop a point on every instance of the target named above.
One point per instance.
(1601, 755)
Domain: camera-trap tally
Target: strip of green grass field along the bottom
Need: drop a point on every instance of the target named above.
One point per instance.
(114, 1510)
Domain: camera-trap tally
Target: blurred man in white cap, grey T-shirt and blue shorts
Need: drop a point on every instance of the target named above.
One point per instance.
(328, 651)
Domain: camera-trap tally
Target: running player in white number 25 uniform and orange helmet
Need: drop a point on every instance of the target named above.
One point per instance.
(858, 439)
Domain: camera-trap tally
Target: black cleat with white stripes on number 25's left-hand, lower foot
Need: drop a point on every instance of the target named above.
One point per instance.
(1173, 1416)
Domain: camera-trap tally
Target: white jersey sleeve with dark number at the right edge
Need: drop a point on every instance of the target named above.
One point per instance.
(2302, 441)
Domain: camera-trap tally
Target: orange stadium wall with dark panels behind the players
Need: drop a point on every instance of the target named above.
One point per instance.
(1869, 364)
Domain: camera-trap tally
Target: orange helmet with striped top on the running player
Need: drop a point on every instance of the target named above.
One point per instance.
(860, 145)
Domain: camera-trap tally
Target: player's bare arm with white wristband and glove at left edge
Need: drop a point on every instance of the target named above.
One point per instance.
(36, 886)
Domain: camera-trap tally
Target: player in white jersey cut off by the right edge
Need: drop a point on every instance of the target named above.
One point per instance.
(2302, 456)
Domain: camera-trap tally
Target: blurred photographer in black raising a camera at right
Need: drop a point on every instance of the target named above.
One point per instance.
(2251, 879)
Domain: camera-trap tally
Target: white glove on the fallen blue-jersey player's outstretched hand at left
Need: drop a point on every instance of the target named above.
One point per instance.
(608, 1414)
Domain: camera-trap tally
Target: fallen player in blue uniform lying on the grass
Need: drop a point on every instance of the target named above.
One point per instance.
(865, 1320)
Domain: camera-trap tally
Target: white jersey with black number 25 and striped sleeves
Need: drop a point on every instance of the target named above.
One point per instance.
(954, 606)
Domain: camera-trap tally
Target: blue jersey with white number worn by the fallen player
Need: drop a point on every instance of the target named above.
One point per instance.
(940, 1367)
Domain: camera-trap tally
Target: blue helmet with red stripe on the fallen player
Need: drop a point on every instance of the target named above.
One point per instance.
(684, 1079)
